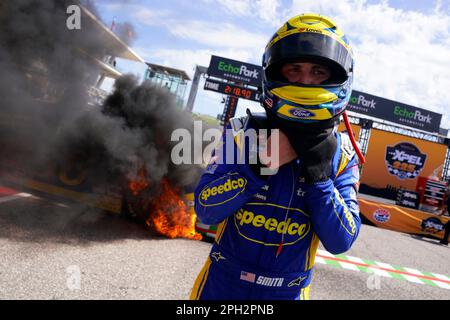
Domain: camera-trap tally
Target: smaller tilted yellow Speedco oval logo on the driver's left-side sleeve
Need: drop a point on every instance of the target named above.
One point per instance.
(224, 190)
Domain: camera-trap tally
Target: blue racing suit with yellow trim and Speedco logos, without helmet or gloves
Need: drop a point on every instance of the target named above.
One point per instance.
(269, 229)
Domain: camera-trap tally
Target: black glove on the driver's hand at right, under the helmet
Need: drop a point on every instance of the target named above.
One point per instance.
(316, 162)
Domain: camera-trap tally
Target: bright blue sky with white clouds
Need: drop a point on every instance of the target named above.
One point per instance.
(402, 47)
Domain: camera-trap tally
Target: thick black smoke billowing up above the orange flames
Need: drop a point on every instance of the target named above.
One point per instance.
(45, 119)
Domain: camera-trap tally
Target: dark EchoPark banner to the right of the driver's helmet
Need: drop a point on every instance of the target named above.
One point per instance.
(394, 111)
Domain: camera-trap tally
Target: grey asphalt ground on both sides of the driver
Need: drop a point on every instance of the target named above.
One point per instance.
(64, 250)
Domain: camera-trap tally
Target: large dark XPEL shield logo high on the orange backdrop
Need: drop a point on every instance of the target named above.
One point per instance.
(404, 160)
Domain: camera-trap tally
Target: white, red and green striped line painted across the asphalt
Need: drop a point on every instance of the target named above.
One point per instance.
(383, 269)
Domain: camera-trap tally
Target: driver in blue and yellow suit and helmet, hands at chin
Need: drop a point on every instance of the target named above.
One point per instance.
(270, 225)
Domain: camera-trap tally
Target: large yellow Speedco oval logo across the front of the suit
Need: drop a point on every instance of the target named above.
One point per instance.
(254, 226)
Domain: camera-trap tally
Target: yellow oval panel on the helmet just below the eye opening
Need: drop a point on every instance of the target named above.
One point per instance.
(306, 96)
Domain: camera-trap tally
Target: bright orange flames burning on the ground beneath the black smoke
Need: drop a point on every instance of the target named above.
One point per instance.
(170, 216)
